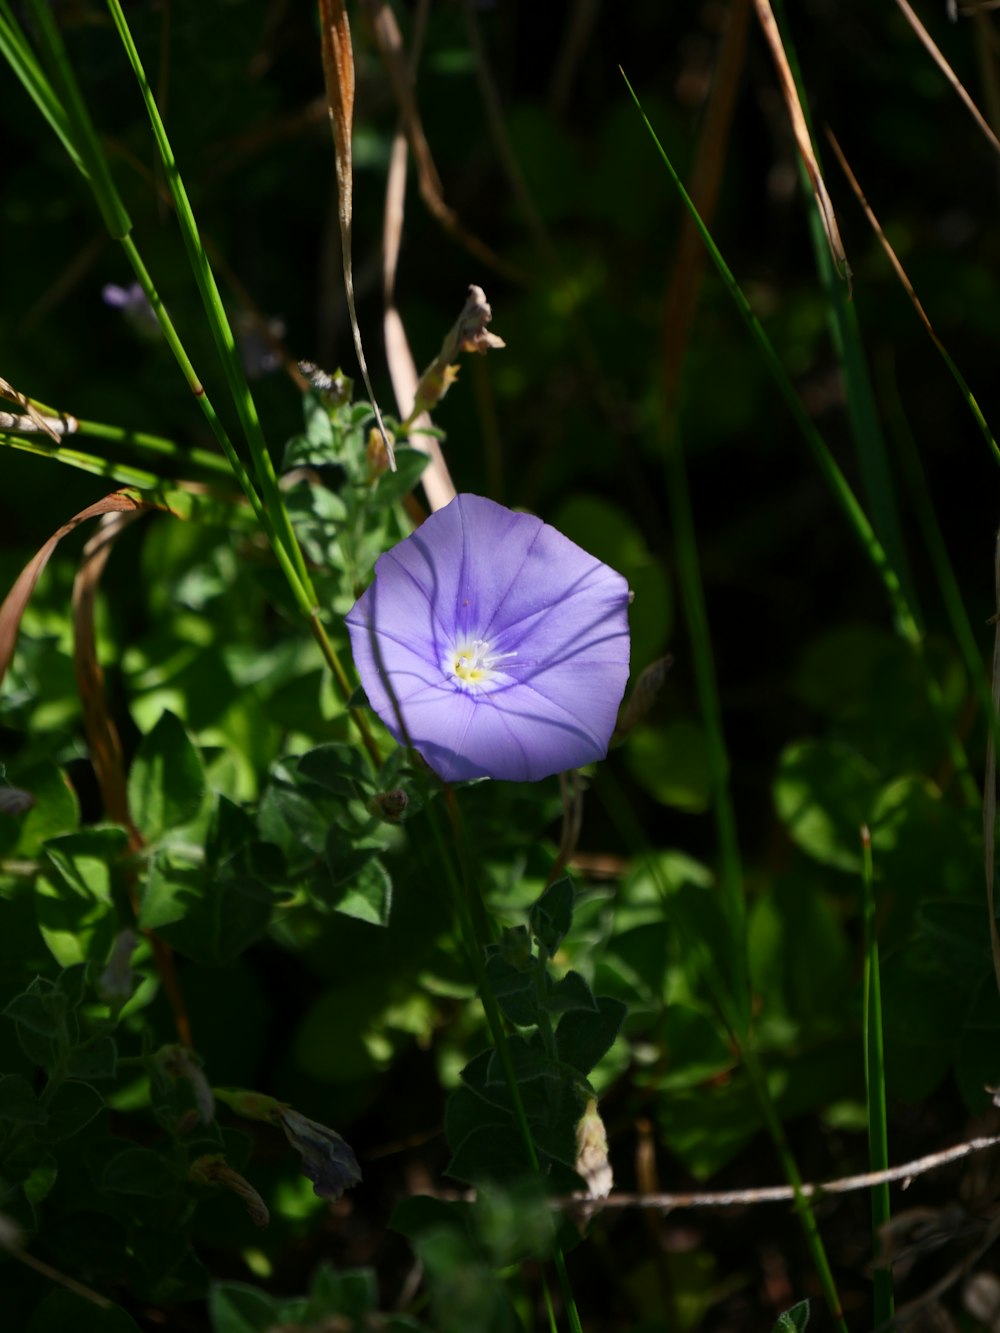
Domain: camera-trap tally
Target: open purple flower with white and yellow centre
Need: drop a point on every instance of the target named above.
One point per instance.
(494, 645)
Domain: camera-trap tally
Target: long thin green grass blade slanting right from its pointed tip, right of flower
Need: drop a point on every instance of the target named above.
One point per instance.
(833, 475)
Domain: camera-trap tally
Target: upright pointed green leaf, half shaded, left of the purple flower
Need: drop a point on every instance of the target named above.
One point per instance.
(167, 780)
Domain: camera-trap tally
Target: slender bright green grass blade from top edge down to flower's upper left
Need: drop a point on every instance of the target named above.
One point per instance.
(218, 321)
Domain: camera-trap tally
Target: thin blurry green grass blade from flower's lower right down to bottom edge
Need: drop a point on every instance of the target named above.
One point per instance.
(625, 819)
